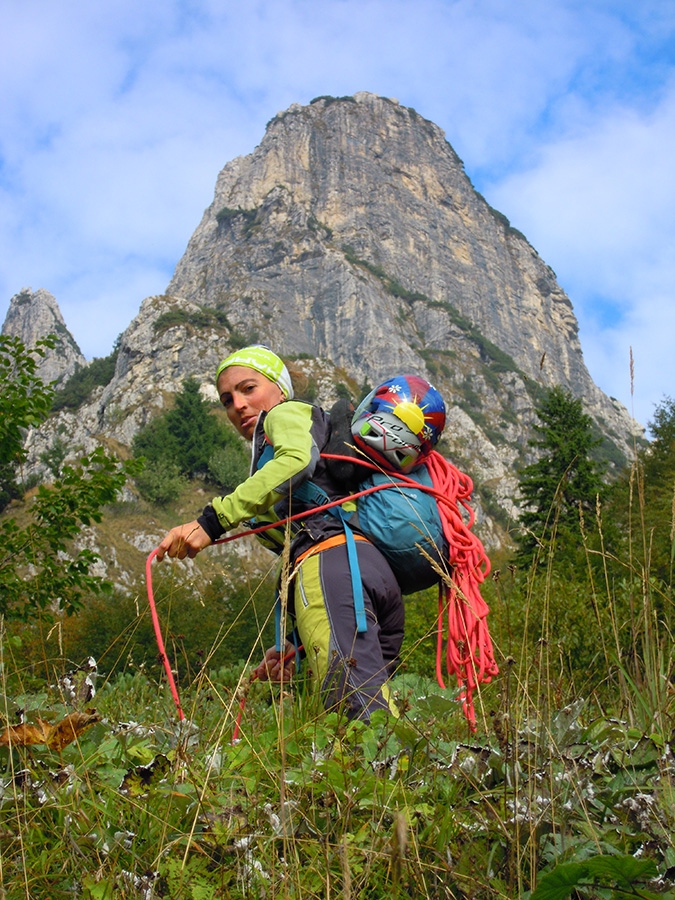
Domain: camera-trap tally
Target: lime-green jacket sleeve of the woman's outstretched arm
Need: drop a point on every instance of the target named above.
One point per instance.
(288, 428)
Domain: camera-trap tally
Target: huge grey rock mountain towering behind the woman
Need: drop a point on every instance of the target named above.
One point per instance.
(352, 242)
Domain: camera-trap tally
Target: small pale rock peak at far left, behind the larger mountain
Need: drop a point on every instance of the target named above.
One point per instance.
(33, 315)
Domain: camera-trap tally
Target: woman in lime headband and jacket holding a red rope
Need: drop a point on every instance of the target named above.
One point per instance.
(351, 664)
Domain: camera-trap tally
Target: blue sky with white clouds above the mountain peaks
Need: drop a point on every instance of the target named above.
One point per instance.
(115, 119)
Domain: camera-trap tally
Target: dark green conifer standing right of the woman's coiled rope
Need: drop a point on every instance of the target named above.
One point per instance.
(565, 479)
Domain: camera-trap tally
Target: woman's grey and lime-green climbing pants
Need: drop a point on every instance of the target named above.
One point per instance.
(351, 668)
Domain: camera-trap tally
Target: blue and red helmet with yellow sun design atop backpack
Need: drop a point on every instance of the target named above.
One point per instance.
(399, 422)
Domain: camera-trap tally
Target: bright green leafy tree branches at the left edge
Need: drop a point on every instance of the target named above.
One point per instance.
(40, 568)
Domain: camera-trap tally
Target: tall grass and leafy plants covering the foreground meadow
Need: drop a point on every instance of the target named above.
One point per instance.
(565, 790)
